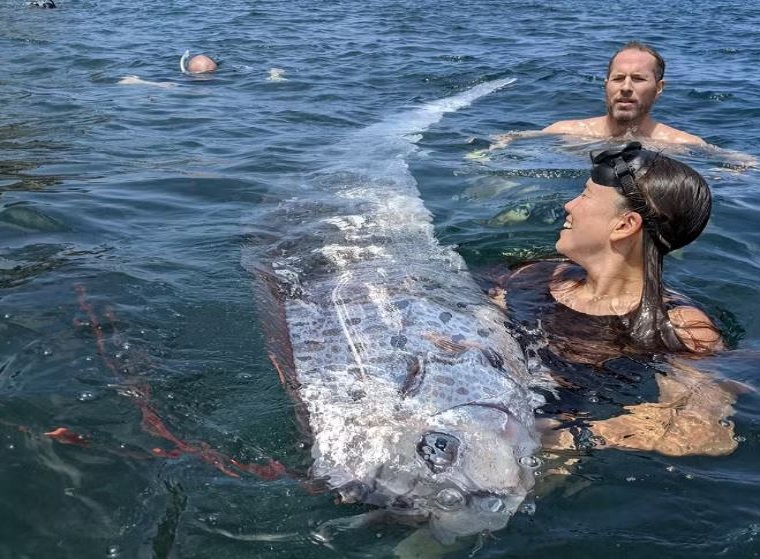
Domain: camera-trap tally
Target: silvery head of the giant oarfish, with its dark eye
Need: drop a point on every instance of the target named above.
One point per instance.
(464, 471)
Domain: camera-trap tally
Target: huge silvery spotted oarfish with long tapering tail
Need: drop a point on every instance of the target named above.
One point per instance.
(416, 397)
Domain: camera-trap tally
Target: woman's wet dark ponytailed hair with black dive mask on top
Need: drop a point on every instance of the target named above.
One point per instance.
(674, 202)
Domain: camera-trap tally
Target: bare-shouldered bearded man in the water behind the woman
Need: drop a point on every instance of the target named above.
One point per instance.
(634, 83)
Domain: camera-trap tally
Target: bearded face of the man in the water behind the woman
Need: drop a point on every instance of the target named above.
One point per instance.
(631, 86)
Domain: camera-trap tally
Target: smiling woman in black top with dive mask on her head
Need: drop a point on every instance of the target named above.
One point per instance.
(606, 317)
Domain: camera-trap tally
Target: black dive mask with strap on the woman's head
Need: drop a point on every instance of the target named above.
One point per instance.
(621, 168)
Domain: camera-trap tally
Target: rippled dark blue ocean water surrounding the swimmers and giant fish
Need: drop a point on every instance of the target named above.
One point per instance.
(127, 318)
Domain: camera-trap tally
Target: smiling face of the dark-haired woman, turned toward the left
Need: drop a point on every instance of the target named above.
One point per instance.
(591, 218)
